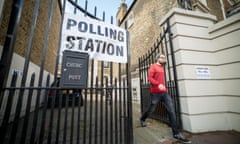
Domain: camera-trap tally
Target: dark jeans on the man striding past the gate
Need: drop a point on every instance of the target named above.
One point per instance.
(167, 101)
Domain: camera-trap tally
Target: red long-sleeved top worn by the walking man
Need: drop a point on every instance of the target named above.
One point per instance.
(156, 77)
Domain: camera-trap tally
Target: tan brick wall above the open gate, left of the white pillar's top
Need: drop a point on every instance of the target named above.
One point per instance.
(145, 29)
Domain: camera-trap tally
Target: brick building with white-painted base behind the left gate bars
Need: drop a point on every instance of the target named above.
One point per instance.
(41, 38)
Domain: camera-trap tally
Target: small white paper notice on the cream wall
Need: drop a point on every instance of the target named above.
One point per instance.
(202, 72)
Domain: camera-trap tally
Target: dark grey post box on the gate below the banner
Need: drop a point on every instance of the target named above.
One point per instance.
(74, 70)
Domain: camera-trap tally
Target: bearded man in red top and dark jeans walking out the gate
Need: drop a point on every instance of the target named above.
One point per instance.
(159, 93)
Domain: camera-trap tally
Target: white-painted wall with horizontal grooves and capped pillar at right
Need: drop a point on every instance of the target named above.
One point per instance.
(210, 103)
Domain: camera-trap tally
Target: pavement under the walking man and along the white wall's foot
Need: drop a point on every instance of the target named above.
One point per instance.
(157, 132)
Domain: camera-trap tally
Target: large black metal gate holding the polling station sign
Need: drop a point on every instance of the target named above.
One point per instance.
(34, 109)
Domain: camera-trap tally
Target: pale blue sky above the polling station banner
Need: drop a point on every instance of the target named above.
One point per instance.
(110, 7)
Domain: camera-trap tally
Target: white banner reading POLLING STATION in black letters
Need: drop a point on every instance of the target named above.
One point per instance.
(100, 40)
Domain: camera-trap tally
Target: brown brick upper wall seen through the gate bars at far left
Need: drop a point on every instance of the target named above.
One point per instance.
(39, 35)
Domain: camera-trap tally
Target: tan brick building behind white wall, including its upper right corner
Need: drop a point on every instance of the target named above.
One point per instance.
(142, 20)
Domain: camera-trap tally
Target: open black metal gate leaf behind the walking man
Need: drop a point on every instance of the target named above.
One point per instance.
(163, 45)
